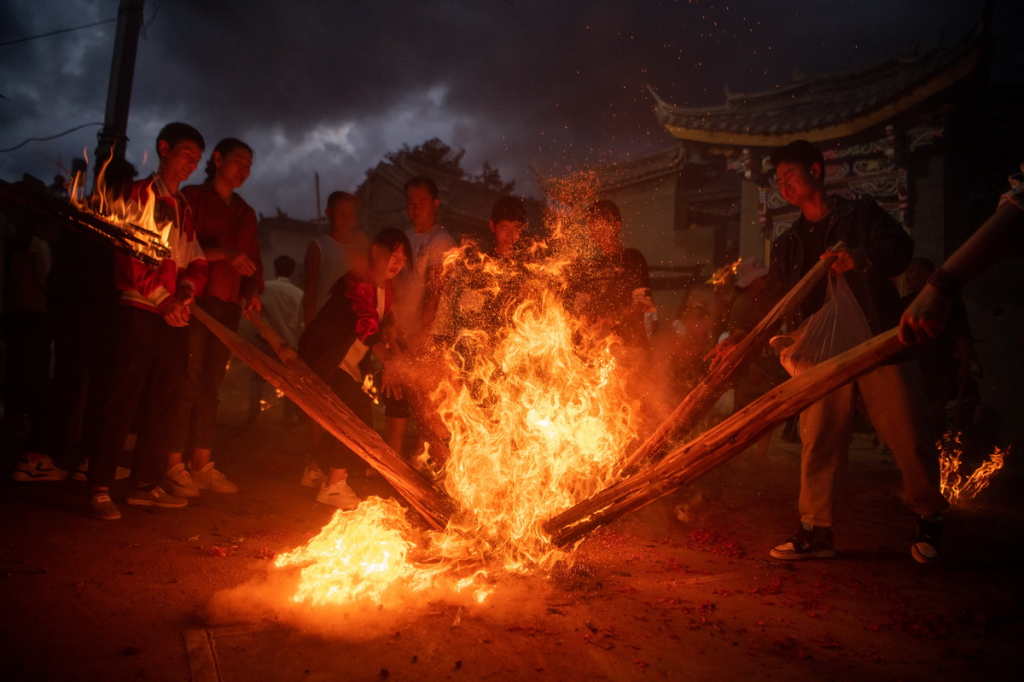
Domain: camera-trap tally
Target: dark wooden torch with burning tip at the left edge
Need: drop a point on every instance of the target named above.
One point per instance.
(143, 244)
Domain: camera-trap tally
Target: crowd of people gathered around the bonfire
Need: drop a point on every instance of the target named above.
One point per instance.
(135, 371)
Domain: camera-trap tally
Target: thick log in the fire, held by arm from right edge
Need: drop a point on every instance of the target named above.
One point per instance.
(722, 443)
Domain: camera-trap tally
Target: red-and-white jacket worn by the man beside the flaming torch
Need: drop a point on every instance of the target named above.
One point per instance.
(152, 288)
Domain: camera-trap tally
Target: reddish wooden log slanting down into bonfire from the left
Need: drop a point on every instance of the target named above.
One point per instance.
(309, 392)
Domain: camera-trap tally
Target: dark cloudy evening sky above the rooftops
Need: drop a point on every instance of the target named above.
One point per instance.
(333, 87)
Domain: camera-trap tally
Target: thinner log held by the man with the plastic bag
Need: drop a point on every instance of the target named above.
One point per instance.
(703, 398)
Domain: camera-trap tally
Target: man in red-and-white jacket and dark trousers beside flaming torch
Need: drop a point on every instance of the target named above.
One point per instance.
(150, 346)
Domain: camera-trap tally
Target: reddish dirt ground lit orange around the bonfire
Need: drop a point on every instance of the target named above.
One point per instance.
(684, 589)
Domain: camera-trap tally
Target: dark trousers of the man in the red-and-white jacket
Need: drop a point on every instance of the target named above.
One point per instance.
(145, 368)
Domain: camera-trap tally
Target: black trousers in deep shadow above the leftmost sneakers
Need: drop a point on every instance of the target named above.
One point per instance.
(81, 342)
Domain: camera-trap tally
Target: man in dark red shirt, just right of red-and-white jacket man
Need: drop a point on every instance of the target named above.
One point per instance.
(226, 227)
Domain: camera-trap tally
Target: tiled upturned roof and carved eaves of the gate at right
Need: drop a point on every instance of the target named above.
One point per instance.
(905, 132)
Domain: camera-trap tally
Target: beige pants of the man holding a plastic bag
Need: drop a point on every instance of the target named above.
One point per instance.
(894, 399)
